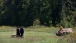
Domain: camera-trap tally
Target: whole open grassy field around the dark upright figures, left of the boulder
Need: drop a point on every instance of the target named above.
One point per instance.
(33, 34)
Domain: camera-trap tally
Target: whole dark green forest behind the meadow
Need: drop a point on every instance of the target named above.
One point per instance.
(44, 12)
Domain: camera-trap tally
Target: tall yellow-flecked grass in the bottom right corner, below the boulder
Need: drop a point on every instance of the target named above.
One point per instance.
(71, 38)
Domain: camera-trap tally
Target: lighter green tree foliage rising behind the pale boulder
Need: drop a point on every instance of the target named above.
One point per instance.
(67, 19)
